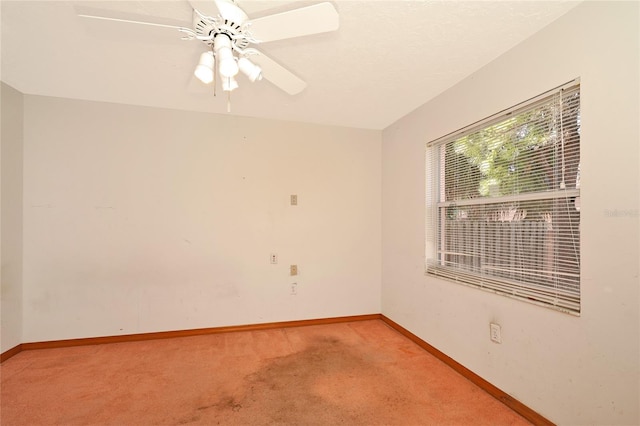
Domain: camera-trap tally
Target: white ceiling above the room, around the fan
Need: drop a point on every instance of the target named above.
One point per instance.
(387, 58)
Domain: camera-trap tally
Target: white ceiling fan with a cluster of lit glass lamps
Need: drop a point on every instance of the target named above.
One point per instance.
(228, 34)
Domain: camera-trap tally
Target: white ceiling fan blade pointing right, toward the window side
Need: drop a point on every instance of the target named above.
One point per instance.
(319, 18)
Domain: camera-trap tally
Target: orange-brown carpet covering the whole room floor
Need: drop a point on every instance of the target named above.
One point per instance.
(355, 373)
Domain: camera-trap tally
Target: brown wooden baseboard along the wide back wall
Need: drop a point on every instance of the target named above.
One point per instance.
(179, 333)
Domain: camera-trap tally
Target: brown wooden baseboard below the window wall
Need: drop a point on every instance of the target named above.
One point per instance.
(505, 398)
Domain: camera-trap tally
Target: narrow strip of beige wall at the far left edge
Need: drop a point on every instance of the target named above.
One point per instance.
(11, 228)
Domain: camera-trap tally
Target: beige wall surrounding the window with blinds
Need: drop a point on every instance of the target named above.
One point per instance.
(574, 370)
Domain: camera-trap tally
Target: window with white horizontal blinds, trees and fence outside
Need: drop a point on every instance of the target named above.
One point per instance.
(503, 202)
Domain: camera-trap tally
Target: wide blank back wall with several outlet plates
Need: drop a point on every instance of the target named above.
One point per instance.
(140, 220)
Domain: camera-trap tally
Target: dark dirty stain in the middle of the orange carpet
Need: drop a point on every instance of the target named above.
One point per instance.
(329, 382)
